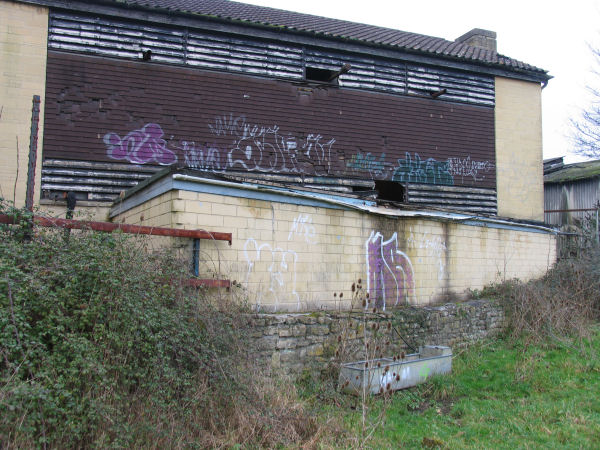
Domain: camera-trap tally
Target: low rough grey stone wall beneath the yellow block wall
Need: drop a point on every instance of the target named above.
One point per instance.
(294, 342)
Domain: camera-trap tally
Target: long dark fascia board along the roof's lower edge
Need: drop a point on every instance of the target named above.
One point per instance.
(286, 35)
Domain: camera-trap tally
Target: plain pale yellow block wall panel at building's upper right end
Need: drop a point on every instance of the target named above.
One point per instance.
(519, 165)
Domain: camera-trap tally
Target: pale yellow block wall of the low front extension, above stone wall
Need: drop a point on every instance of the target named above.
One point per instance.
(292, 257)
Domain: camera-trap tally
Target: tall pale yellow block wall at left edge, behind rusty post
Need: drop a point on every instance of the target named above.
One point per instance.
(23, 41)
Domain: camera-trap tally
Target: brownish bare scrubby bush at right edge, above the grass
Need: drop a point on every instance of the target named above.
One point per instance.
(563, 302)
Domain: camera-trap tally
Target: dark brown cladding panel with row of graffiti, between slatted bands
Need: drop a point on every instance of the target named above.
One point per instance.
(100, 109)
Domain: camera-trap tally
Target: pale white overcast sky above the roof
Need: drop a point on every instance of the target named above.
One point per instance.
(553, 35)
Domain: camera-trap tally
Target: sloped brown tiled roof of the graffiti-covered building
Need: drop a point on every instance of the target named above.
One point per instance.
(335, 28)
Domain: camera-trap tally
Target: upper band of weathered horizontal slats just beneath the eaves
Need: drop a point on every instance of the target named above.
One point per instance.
(127, 39)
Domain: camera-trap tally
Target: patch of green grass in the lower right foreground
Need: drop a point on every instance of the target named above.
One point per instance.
(501, 395)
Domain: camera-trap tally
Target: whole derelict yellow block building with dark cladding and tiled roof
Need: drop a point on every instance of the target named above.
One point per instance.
(330, 150)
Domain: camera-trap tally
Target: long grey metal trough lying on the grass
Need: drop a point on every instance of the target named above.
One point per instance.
(410, 371)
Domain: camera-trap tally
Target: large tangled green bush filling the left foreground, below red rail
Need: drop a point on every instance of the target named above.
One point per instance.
(102, 345)
